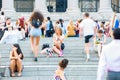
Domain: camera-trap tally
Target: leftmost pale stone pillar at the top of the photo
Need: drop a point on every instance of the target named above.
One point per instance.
(8, 7)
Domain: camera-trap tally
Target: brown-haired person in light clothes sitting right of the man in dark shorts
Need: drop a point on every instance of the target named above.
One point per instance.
(99, 40)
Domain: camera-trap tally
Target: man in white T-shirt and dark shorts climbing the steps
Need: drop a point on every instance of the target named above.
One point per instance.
(88, 29)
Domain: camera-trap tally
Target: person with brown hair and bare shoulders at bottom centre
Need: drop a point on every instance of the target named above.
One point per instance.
(59, 73)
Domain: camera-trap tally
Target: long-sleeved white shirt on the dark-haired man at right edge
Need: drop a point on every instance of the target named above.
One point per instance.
(110, 59)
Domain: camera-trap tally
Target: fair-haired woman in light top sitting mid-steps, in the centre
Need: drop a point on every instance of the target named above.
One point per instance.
(58, 39)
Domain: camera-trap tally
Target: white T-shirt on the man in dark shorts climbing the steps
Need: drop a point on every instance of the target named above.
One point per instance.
(88, 26)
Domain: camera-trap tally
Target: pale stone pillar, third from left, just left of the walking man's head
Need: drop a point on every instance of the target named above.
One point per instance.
(73, 9)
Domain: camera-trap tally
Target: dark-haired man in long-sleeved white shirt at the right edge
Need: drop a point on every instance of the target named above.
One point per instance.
(110, 59)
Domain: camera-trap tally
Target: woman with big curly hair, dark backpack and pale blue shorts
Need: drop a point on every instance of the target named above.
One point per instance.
(35, 21)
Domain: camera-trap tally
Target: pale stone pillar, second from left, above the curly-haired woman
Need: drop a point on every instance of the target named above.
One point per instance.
(41, 6)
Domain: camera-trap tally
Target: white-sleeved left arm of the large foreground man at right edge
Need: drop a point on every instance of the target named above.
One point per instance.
(101, 66)
